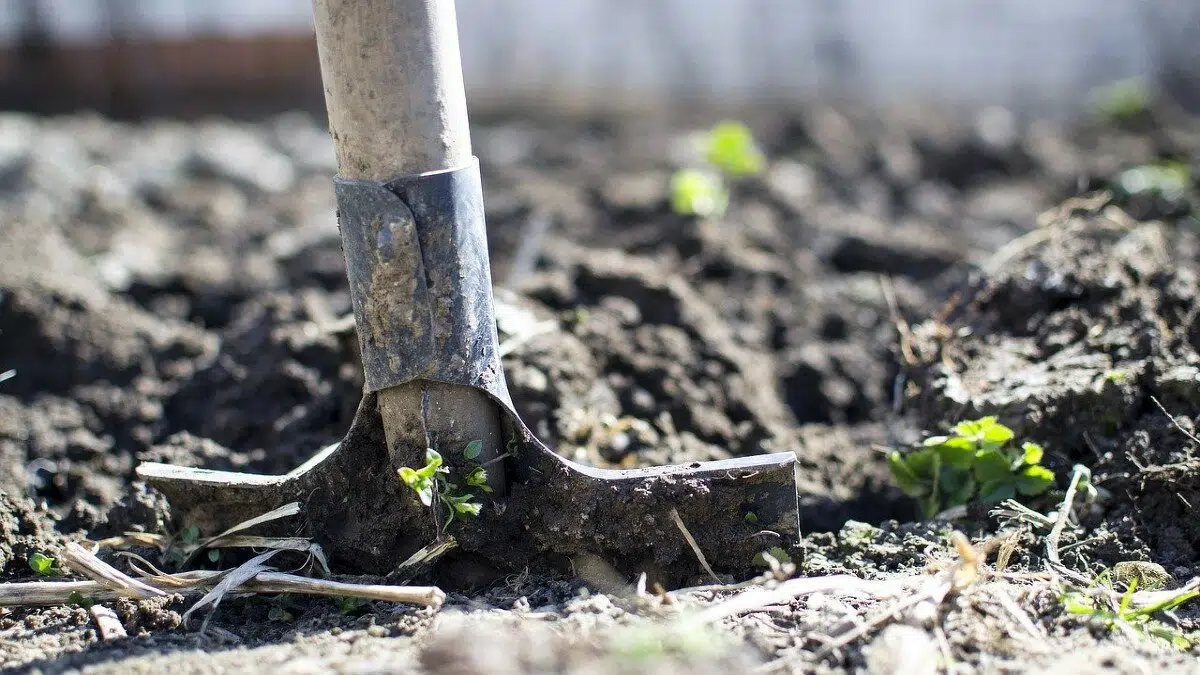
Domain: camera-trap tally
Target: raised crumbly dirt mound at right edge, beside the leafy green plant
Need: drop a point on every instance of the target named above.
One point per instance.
(1087, 341)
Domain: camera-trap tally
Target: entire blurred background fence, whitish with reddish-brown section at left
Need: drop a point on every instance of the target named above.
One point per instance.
(1043, 57)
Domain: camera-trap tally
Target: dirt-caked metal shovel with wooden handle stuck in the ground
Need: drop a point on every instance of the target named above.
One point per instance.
(411, 216)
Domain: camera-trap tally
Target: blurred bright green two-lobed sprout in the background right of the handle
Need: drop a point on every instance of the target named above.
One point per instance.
(729, 153)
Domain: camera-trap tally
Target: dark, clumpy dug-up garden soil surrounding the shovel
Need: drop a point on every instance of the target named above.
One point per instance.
(176, 292)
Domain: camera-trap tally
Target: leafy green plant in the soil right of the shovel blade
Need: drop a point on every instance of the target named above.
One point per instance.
(979, 459)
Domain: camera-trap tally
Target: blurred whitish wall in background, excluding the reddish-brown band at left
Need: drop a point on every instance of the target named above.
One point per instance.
(1041, 56)
